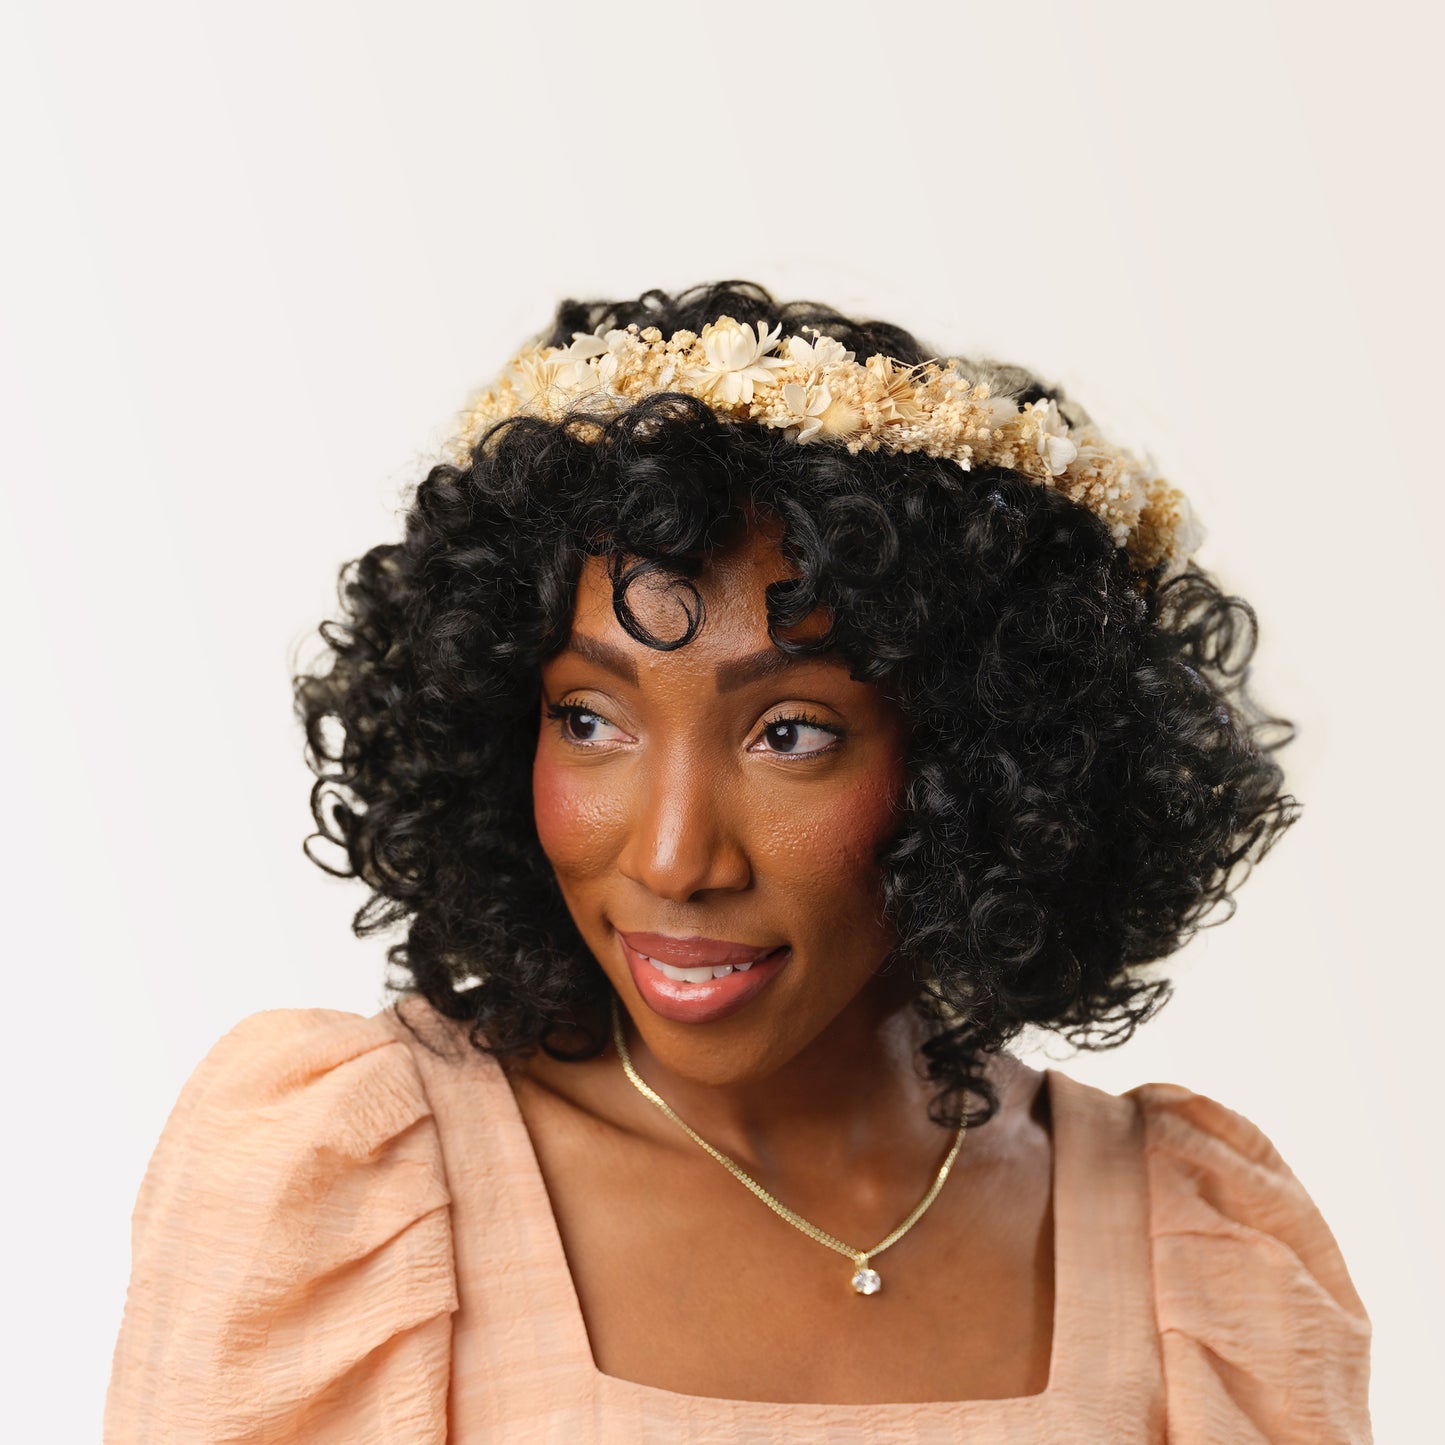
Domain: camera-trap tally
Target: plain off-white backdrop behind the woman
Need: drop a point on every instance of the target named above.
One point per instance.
(254, 261)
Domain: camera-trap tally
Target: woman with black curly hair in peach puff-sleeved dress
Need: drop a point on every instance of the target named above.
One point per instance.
(759, 726)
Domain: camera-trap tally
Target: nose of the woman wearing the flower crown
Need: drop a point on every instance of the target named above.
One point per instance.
(681, 836)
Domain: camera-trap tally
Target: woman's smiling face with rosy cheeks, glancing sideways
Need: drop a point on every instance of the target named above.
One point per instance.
(715, 806)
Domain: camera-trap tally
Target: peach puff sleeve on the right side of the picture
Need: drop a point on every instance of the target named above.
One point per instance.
(1264, 1336)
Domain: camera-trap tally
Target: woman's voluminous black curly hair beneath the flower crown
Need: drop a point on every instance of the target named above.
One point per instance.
(1087, 775)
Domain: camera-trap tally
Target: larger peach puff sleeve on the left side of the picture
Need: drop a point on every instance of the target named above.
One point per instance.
(293, 1271)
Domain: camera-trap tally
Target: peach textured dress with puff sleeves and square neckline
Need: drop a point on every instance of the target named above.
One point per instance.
(345, 1236)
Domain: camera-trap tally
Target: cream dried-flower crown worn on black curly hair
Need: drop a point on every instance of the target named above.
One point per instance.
(819, 392)
